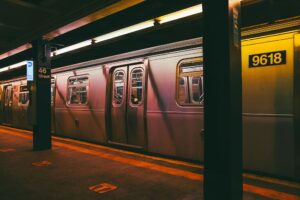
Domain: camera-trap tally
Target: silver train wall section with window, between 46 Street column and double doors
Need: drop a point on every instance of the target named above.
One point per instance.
(80, 104)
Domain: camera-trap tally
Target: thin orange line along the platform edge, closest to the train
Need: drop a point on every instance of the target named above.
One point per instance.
(177, 162)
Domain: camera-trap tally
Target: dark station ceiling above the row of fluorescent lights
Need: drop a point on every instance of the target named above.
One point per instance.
(22, 21)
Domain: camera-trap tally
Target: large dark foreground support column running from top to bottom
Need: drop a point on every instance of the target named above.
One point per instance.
(222, 110)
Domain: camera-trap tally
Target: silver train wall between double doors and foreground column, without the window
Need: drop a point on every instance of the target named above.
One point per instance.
(172, 129)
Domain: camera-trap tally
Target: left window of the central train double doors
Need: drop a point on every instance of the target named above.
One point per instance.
(118, 87)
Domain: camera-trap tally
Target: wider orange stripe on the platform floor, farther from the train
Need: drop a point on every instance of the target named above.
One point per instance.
(265, 192)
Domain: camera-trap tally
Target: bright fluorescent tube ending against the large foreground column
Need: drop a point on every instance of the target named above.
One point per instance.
(180, 14)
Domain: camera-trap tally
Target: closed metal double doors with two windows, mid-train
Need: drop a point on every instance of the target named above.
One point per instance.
(127, 105)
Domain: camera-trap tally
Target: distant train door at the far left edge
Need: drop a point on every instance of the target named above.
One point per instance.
(7, 107)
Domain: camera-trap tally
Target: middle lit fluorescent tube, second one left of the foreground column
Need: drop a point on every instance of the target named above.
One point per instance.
(124, 31)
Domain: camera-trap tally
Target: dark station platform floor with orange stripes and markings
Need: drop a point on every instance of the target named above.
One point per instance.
(80, 170)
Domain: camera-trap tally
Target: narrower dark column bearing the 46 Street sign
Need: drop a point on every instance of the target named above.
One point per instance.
(41, 96)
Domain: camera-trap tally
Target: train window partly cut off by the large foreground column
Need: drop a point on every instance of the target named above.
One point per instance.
(190, 89)
